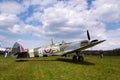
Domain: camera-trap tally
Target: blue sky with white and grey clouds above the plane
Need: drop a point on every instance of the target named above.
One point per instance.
(33, 23)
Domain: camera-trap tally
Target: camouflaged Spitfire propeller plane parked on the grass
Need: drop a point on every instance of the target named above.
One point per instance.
(64, 49)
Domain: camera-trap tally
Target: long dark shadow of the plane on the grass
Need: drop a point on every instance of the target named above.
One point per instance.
(60, 59)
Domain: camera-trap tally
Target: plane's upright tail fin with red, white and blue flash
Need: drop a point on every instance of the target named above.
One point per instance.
(17, 49)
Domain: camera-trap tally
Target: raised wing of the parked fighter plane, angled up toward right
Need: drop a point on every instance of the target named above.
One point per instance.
(91, 44)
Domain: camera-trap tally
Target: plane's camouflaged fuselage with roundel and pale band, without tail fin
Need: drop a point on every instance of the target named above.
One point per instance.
(57, 49)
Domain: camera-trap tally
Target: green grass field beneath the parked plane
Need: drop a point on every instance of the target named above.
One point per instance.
(60, 68)
